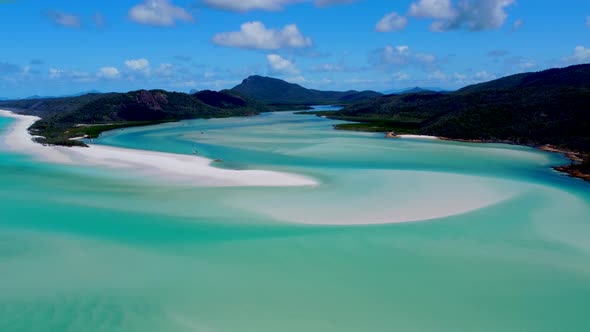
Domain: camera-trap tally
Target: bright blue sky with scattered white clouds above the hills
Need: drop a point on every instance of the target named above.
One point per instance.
(62, 47)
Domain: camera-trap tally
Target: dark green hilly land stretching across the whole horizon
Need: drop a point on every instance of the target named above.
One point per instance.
(548, 110)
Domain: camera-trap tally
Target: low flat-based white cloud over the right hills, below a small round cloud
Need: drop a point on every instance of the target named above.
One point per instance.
(401, 56)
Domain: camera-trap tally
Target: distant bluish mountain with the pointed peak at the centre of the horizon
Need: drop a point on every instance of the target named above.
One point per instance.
(278, 92)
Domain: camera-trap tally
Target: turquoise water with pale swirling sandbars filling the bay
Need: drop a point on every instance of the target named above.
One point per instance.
(500, 242)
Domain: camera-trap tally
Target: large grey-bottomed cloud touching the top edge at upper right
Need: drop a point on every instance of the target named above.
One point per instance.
(473, 15)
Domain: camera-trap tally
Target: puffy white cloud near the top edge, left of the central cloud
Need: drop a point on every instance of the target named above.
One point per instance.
(159, 13)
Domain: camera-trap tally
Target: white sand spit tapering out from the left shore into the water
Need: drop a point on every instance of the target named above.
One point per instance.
(181, 169)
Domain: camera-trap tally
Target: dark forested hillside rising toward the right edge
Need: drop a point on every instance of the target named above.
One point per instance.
(548, 107)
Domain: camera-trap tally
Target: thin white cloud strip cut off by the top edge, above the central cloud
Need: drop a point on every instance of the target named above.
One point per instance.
(266, 5)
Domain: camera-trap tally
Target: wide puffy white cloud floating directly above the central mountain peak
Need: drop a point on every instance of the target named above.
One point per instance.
(255, 35)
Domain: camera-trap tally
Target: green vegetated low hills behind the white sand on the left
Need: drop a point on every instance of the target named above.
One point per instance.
(89, 115)
